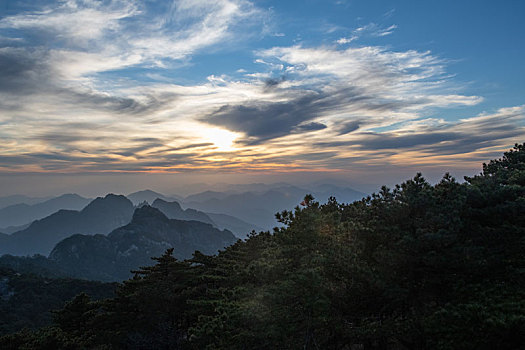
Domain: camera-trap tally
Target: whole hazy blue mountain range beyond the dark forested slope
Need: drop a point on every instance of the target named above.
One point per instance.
(112, 235)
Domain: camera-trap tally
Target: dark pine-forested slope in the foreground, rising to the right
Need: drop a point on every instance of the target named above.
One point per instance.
(419, 266)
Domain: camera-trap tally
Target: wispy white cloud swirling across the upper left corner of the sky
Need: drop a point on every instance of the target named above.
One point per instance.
(116, 34)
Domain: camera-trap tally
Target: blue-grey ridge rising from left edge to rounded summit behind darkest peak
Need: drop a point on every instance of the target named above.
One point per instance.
(100, 216)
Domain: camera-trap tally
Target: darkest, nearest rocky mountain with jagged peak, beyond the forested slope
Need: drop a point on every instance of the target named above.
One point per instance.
(150, 233)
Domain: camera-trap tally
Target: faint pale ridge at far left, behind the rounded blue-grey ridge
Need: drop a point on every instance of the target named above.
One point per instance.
(20, 214)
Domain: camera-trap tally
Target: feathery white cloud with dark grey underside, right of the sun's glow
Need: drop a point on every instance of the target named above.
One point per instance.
(366, 83)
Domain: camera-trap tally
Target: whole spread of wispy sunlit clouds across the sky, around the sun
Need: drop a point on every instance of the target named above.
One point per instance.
(63, 108)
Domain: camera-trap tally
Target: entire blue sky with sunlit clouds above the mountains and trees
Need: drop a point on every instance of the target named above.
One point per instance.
(124, 94)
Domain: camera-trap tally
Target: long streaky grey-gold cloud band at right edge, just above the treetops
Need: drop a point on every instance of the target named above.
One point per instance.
(427, 139)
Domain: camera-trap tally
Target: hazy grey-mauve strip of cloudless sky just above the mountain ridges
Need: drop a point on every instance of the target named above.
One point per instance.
(96, 185)
